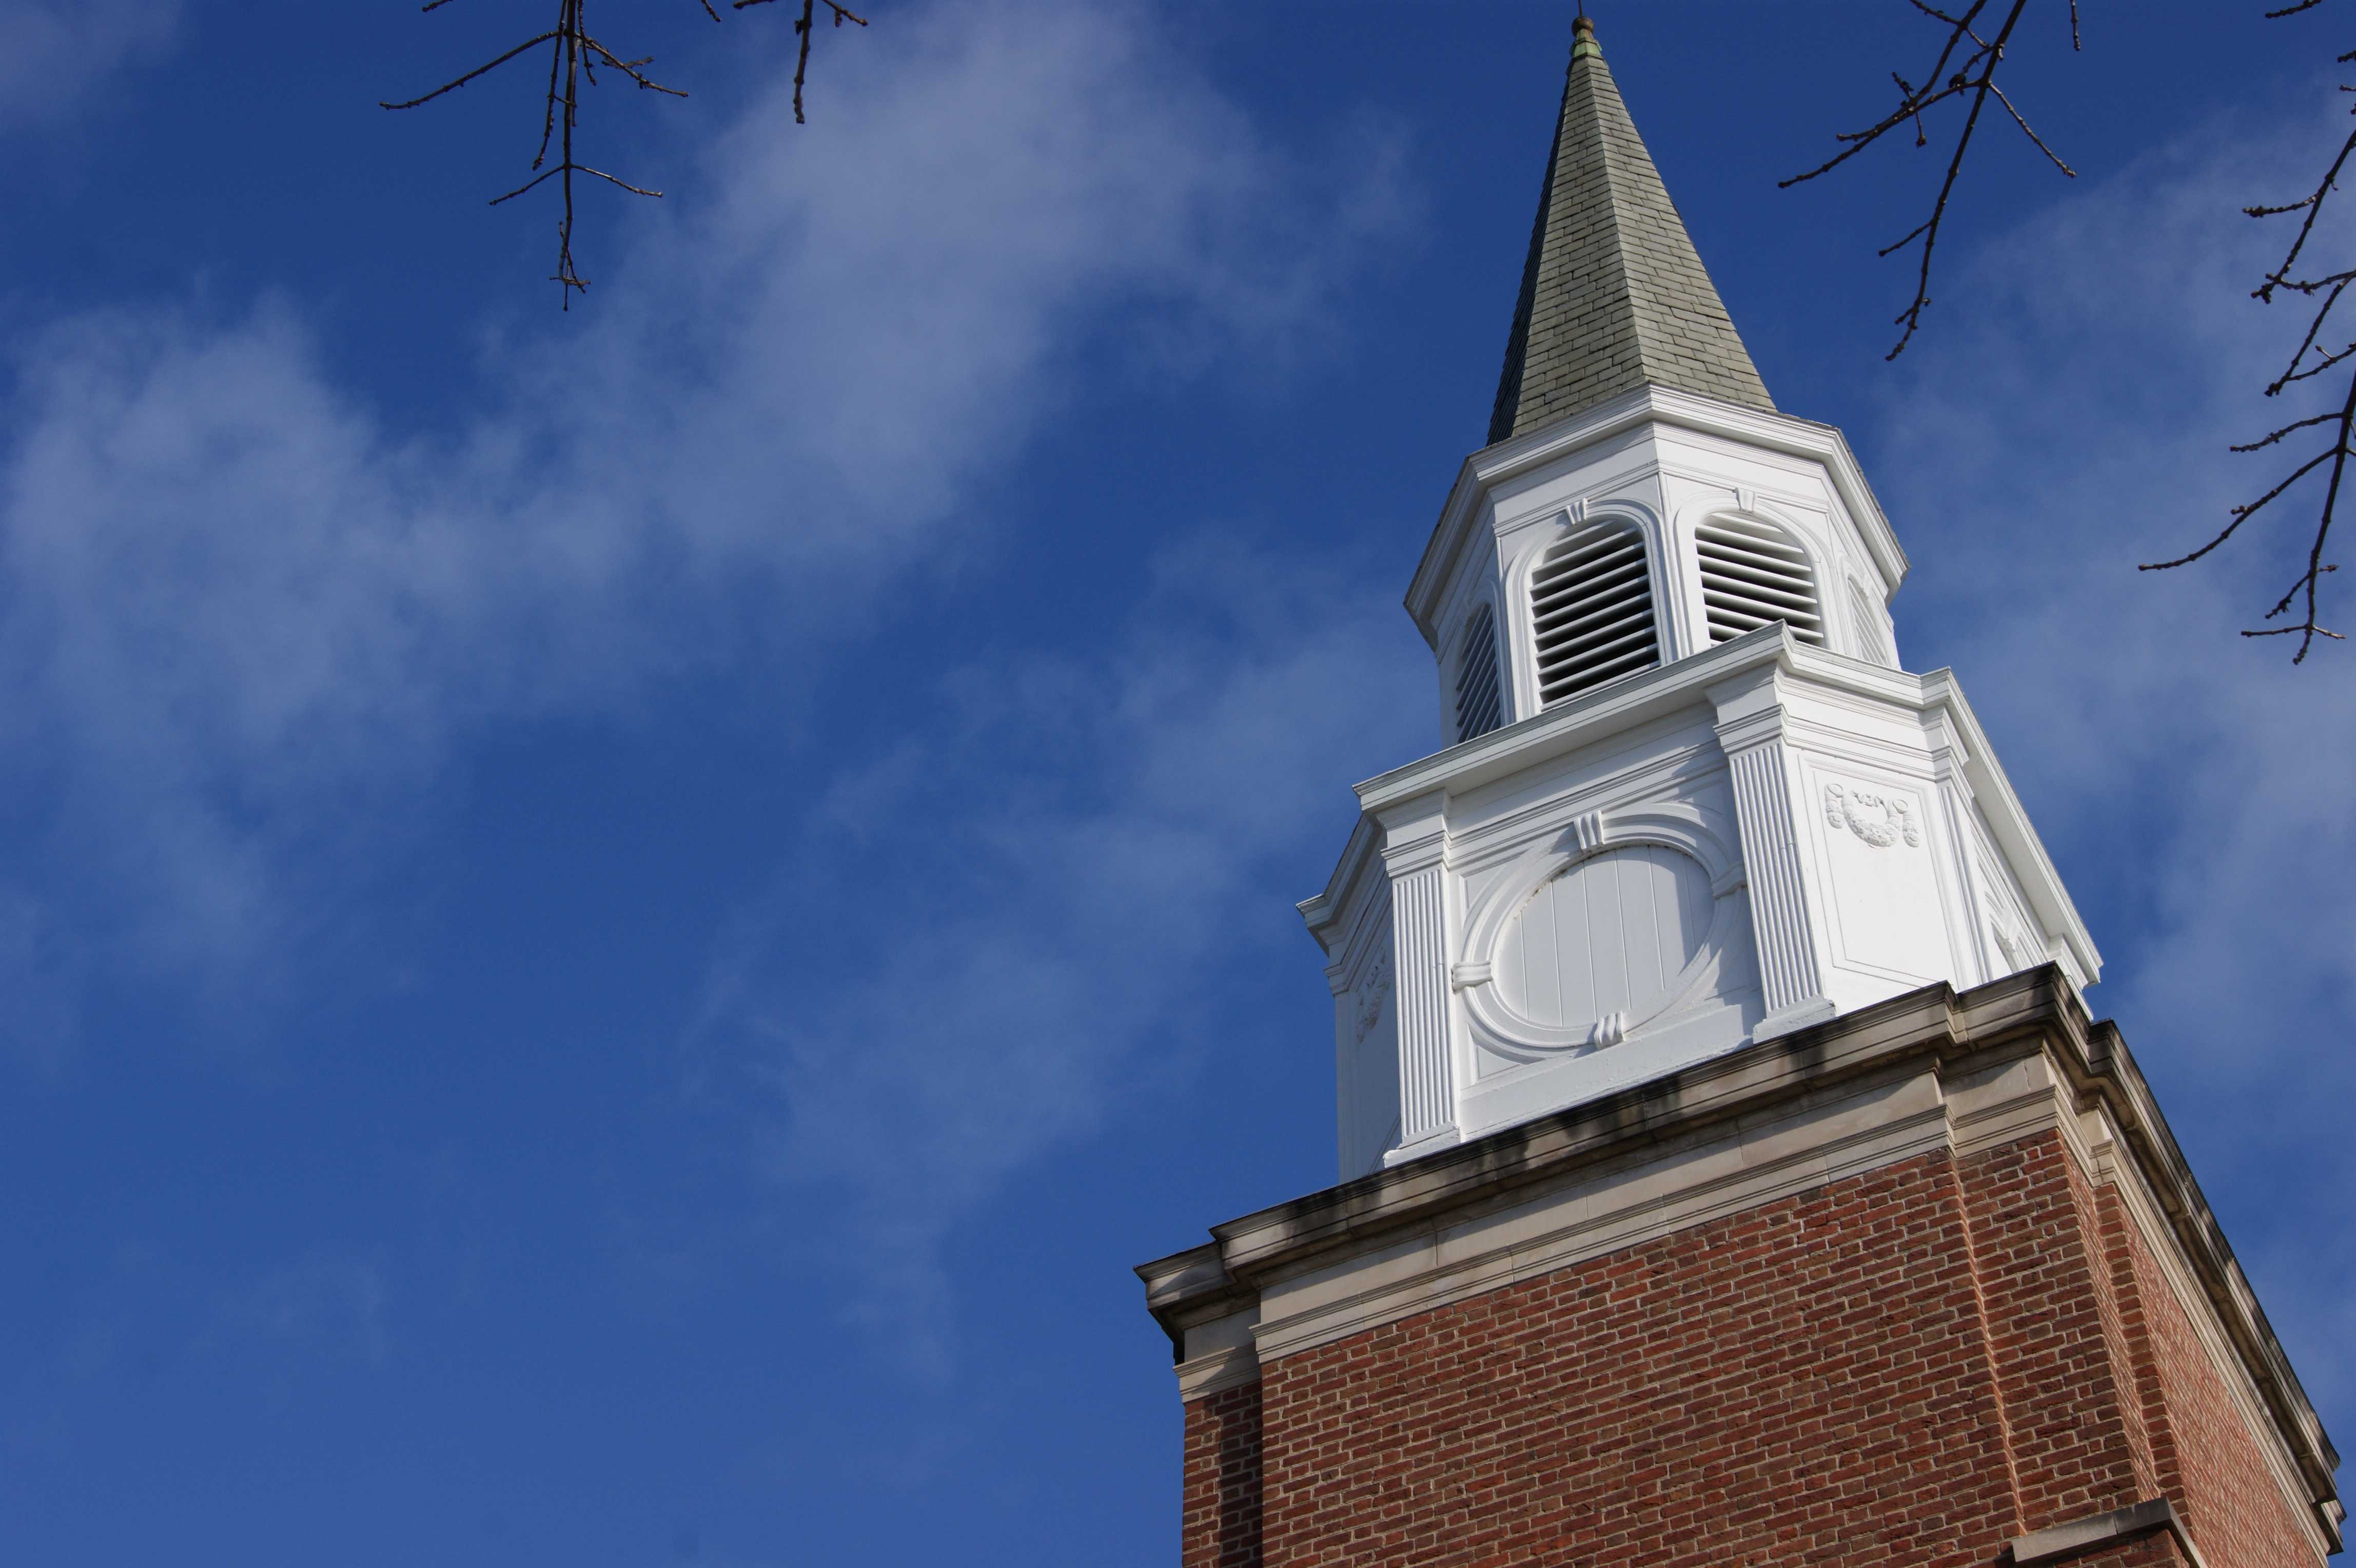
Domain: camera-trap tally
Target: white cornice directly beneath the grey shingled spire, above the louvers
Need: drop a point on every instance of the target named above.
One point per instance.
(1648, 406)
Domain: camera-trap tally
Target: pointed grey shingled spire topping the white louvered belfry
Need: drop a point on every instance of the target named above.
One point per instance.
(1613, 295)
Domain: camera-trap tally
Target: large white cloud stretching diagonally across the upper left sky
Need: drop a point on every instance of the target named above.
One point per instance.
(244, 609)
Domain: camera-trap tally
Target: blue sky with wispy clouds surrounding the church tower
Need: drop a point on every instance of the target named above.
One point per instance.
(618, 924)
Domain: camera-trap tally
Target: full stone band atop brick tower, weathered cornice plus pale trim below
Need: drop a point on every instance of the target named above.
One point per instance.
(1919, 1072)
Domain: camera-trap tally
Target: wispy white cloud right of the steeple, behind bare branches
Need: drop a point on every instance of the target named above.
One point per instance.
(2195, 788)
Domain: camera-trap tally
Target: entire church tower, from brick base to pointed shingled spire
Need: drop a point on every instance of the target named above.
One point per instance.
(1730, 1169)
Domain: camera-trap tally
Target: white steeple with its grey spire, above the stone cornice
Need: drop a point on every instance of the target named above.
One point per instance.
(1686, 797)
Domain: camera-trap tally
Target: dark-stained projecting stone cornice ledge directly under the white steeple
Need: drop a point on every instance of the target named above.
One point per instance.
(2023, 1016)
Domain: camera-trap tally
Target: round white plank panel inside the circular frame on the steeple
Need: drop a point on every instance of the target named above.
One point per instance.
(1610, 936)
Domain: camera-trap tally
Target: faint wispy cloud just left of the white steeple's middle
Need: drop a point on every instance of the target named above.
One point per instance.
(934, 1011)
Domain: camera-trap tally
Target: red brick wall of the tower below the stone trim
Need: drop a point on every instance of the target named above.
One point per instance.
(1910, 1367)
